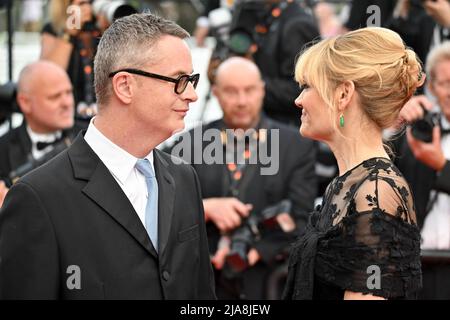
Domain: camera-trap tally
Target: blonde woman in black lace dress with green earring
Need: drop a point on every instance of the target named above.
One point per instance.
(363, 242)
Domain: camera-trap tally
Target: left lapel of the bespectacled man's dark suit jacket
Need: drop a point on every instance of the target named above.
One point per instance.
(103, 189)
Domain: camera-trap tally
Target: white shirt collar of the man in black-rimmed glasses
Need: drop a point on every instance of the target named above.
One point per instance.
(118, 161)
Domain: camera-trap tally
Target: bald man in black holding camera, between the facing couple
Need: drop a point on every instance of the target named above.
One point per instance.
(233, 190)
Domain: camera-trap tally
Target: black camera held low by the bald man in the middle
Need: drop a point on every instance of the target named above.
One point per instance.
(243, 238)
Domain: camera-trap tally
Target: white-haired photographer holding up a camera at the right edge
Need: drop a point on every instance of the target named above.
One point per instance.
(424, 153)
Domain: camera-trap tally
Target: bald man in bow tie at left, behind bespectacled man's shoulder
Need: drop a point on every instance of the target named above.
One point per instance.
(46, 101)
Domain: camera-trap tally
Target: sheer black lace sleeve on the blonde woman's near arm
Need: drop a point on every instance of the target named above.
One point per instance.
(379, 250)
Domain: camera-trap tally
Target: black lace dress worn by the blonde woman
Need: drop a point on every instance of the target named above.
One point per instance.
(364, 238)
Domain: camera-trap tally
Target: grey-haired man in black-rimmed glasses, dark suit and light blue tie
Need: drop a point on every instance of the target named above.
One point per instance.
(112, 217)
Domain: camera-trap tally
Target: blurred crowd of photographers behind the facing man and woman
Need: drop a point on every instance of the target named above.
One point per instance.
(56, 97)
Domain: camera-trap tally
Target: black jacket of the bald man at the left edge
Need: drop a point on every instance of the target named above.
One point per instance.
(15, 148)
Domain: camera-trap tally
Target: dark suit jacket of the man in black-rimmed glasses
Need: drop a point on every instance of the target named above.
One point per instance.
(72, 212)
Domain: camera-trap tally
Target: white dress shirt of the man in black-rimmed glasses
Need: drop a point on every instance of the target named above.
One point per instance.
(121, 165)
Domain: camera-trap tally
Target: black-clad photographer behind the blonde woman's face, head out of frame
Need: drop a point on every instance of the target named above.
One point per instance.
(282, 31)
